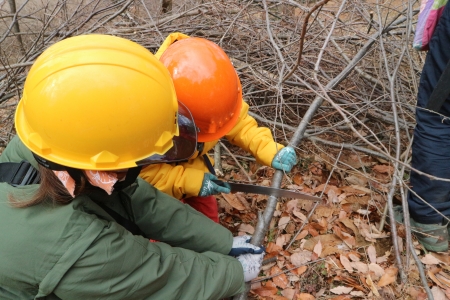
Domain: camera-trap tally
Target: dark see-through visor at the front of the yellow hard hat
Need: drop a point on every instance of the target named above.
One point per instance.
(184, 145)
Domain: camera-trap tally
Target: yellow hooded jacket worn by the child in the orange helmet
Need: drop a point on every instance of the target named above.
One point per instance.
(185, 179)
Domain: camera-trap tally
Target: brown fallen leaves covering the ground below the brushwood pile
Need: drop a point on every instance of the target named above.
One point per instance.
(340, 253)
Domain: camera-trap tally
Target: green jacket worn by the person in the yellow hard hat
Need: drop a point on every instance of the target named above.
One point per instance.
(77, 251)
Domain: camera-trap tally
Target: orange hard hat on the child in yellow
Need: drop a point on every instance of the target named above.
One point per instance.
(207, 83)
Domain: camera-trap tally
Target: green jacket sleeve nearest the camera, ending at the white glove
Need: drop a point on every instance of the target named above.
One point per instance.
(118, 265)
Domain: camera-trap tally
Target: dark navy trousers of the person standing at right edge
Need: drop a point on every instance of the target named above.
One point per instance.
(431, 145)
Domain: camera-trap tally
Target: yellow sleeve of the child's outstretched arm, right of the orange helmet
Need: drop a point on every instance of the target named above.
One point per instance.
(257, 140)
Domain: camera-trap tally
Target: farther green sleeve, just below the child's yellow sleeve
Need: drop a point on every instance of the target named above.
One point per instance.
(165, 219)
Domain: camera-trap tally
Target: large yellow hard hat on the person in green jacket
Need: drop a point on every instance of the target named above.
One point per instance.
(99, 102)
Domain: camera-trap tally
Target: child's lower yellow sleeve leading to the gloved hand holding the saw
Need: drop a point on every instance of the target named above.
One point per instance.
(176, 180)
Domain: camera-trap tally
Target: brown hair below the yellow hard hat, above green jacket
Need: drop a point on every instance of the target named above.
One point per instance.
(50, 189)
